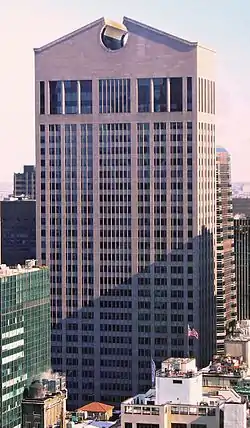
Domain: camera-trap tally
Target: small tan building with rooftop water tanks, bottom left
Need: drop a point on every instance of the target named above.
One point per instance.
(44, 404)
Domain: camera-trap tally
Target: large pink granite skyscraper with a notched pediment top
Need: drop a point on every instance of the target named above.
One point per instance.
(126, 197)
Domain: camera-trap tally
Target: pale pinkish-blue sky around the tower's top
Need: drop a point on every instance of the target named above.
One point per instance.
(219, 24)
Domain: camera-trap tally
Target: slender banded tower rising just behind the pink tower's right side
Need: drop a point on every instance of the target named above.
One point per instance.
(226, 285)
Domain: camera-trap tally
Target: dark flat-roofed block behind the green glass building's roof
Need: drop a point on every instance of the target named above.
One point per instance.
(17, 230)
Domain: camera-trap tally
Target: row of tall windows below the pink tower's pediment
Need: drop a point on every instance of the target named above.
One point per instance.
(172, 94)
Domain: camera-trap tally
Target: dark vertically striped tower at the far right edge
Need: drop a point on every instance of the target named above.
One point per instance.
(242, 265)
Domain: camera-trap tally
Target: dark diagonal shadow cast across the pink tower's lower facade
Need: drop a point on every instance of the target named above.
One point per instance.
(106, 348)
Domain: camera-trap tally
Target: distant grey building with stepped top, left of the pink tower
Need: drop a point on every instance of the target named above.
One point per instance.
(25, 182)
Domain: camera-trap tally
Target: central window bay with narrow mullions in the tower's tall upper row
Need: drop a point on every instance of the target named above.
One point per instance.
(114, 96)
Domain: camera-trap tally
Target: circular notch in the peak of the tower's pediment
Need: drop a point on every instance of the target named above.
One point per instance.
(114, 36)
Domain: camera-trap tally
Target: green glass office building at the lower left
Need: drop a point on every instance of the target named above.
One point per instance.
(25, 334)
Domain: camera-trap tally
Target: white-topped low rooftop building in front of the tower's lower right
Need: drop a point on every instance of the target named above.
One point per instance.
(178, 401)
